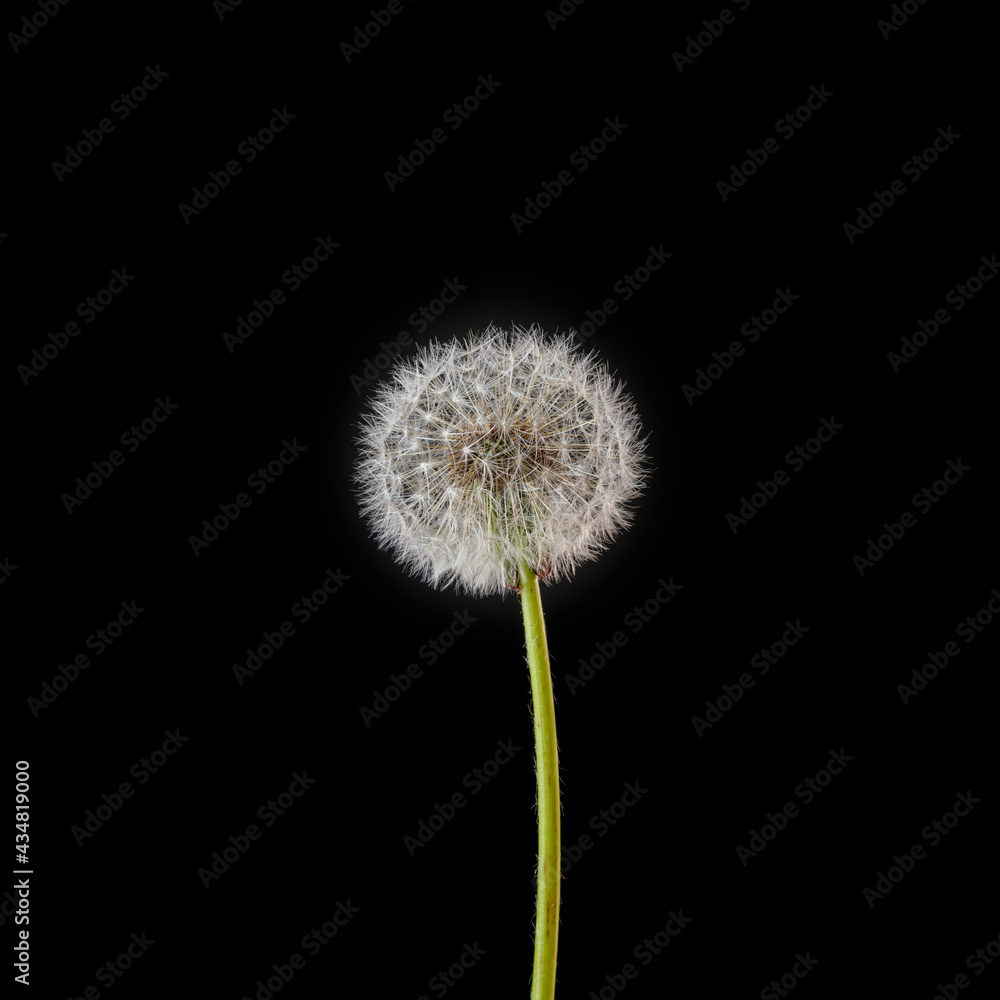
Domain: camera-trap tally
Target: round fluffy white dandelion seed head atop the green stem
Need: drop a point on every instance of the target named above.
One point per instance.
(502, 447)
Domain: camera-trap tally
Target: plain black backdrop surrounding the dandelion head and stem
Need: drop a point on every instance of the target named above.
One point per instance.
(654, 186)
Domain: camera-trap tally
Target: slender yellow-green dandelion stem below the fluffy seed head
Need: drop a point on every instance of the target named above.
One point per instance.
(543, 979)
